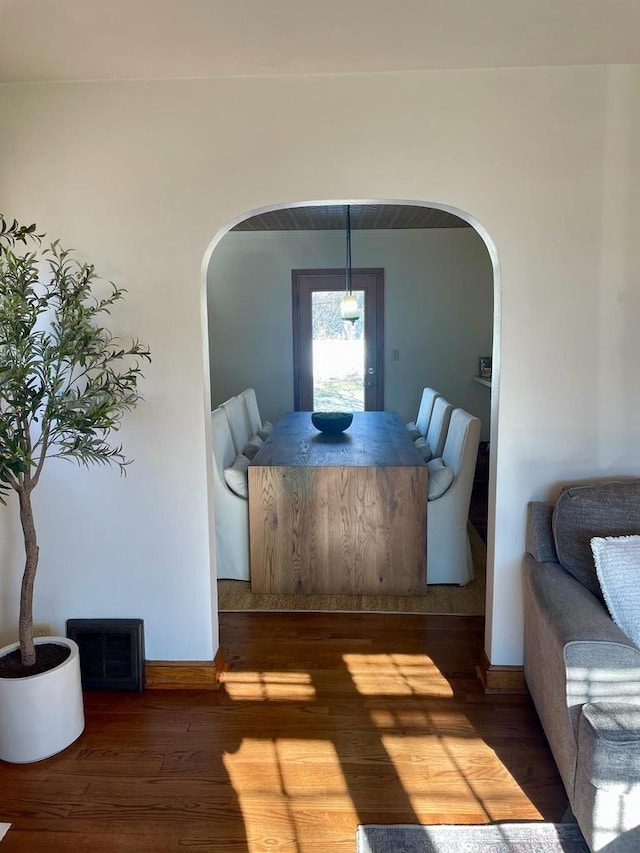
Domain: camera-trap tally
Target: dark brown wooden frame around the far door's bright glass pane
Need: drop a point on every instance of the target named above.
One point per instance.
(373, 329)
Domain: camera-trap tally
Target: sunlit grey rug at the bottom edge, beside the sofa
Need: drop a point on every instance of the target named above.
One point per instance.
(477, 838)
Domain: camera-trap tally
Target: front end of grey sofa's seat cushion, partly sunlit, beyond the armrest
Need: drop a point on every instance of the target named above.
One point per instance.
(609, 745)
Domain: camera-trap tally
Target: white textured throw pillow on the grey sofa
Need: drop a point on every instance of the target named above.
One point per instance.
(617, 560)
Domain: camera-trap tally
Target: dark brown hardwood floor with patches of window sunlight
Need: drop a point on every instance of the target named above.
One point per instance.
(325, 721)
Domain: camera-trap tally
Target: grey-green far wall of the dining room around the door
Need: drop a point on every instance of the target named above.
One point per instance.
(438, 309)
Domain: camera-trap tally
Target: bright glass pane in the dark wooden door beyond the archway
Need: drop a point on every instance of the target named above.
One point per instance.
(338, 354)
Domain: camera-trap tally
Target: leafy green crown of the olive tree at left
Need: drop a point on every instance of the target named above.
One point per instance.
(65, 381)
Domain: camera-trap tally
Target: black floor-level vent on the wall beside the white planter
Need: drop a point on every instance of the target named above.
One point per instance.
(111, 652)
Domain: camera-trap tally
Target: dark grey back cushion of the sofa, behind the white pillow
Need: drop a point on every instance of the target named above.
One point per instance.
(596, 509)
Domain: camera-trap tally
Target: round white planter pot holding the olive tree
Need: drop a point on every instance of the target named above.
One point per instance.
(42, 714)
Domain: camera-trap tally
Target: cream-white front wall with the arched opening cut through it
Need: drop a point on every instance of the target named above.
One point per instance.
(142, 176)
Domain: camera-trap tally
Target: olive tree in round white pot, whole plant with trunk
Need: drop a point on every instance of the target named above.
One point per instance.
(65, 383)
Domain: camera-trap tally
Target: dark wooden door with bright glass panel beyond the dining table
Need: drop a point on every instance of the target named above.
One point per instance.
(337, 364)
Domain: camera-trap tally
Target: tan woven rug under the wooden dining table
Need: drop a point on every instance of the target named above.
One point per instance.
(469, 600)
